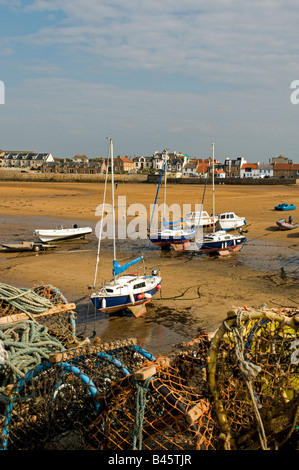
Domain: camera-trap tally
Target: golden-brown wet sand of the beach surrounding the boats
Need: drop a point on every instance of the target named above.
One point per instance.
(197, 290)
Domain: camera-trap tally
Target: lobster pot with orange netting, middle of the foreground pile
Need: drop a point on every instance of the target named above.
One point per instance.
(163, 406)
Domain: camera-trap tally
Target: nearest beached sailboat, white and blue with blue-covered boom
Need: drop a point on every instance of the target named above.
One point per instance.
(129, 291)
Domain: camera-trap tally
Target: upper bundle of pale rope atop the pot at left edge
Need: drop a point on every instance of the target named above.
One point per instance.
(25, 300)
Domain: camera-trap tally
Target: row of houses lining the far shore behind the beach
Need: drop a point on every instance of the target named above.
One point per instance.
(177, 165)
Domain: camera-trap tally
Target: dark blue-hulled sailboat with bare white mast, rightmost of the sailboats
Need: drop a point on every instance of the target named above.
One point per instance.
(219, 241)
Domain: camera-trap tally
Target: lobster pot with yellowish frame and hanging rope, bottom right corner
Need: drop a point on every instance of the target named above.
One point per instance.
(254, 380)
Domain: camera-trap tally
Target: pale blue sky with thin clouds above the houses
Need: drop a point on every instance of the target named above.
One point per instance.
(151, 75)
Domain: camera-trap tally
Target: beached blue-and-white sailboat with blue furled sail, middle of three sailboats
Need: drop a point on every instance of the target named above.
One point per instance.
(171, 234)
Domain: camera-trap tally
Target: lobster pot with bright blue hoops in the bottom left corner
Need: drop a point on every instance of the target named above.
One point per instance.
(53, 405)
